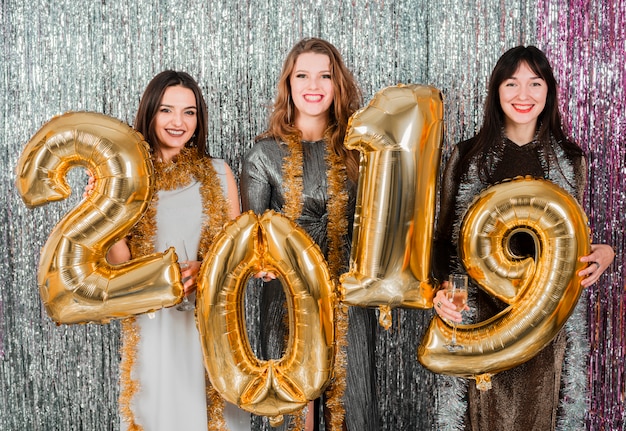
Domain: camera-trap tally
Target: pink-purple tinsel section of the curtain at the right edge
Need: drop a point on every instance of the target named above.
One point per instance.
(586, 44)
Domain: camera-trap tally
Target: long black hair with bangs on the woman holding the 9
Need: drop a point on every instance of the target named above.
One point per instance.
(549, 121)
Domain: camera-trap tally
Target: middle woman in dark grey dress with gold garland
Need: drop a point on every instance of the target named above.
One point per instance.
(299, 167)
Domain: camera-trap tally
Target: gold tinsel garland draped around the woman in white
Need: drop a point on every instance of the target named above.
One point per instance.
(170, 176)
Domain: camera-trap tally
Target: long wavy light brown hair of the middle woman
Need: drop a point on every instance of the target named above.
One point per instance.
(346, 101)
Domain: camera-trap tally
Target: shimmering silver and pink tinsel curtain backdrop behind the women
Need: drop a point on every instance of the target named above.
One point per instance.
(99, 55)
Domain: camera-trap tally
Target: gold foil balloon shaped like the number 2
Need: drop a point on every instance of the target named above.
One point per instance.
(76, 283)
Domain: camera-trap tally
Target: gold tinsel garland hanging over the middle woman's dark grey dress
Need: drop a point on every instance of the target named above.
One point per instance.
(336, 231)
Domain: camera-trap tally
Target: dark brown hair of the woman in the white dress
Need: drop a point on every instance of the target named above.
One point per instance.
(151, 100)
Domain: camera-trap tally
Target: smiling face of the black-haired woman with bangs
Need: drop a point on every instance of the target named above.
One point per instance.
(523, 98)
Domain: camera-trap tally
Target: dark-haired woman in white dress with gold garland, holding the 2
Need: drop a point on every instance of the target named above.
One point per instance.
(162, 372)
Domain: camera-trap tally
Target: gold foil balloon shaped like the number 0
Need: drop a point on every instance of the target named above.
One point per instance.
(247, 245)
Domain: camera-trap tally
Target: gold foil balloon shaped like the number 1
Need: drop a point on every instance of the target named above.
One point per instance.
(399, 135)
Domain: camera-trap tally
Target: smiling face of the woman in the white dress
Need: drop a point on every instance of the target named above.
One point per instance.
(175, 121)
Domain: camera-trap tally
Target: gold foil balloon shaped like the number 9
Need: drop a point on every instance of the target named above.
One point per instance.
(541, 291)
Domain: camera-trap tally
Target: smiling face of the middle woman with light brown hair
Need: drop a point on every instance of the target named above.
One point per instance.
(311, 87)
